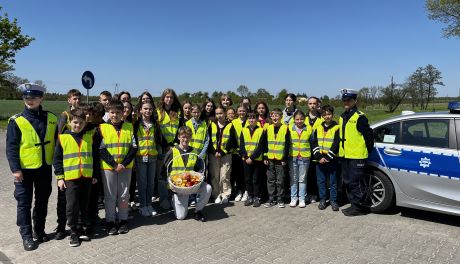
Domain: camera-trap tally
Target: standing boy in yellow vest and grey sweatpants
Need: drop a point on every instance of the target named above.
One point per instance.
(118, 149)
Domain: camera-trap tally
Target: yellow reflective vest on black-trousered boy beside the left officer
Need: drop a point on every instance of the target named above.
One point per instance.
(77, 158)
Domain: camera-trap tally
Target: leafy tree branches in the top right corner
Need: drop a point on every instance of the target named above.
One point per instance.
(447, 12)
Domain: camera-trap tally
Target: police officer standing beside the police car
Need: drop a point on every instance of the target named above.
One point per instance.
(357, 141)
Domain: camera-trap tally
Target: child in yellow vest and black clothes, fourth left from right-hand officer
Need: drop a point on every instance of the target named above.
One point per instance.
(252, 147)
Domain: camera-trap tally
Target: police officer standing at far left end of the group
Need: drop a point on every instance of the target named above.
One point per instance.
(30, 141)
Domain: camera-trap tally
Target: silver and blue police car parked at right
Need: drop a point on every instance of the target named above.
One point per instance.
(416, 162)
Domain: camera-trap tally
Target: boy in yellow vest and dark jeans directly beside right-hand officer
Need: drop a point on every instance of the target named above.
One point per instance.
(325, 145)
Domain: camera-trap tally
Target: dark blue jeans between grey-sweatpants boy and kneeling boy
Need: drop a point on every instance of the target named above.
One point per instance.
(145, 172)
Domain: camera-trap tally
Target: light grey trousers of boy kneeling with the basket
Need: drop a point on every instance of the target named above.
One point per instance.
(180, 202)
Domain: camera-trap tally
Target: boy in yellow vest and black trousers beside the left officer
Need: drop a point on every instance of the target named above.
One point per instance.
(73, 165)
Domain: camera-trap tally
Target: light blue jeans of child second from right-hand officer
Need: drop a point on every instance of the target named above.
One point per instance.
(298, 168)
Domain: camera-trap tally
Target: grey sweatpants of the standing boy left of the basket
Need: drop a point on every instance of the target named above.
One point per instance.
(116, 194)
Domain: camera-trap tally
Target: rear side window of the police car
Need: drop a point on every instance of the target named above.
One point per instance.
(426, 132)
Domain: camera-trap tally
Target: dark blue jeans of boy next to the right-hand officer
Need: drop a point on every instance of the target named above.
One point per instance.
(323, 172)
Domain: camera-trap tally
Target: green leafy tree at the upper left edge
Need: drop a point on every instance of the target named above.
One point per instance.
(11, 41)
